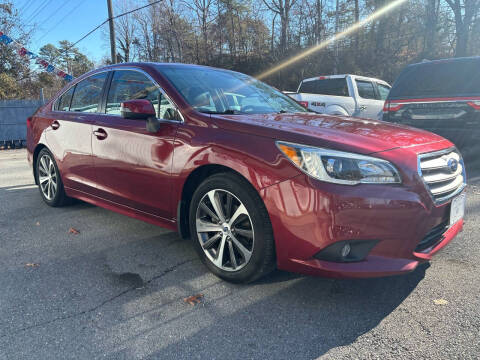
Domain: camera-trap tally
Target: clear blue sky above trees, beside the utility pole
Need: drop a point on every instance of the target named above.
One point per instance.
(56, 20)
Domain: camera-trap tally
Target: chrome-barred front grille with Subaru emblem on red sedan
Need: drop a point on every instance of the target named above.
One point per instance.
(443, 173)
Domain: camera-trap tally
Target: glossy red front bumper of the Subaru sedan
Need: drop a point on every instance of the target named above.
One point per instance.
(307, 216)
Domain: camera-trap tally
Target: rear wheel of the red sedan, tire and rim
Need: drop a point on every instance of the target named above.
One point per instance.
(49, 180)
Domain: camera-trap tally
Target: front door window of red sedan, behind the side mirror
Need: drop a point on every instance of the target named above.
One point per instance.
(131, 85)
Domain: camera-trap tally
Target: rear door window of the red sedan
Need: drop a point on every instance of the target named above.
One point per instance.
(87, 93)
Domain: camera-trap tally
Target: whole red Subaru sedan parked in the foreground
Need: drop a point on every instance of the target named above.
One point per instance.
(254, 179)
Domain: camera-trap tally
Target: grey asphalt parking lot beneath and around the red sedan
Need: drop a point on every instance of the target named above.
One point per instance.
(116, 290)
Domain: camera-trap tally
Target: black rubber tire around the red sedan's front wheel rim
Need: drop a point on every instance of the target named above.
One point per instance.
(252, 202)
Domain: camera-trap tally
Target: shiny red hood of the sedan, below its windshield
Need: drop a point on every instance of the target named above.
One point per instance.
(338, 132)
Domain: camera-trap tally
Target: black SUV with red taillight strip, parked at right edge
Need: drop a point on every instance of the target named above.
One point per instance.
(441, 96)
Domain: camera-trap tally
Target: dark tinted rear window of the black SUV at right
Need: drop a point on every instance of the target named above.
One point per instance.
(439, 79)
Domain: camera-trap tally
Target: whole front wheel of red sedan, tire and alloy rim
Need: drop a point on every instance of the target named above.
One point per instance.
(231, 229)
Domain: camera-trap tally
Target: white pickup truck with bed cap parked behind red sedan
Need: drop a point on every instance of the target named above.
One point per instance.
(350, 95)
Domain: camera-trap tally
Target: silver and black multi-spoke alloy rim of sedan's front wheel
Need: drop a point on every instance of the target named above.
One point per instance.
(225, 230)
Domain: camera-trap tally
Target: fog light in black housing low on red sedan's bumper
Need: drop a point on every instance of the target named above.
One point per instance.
(346, 251)
